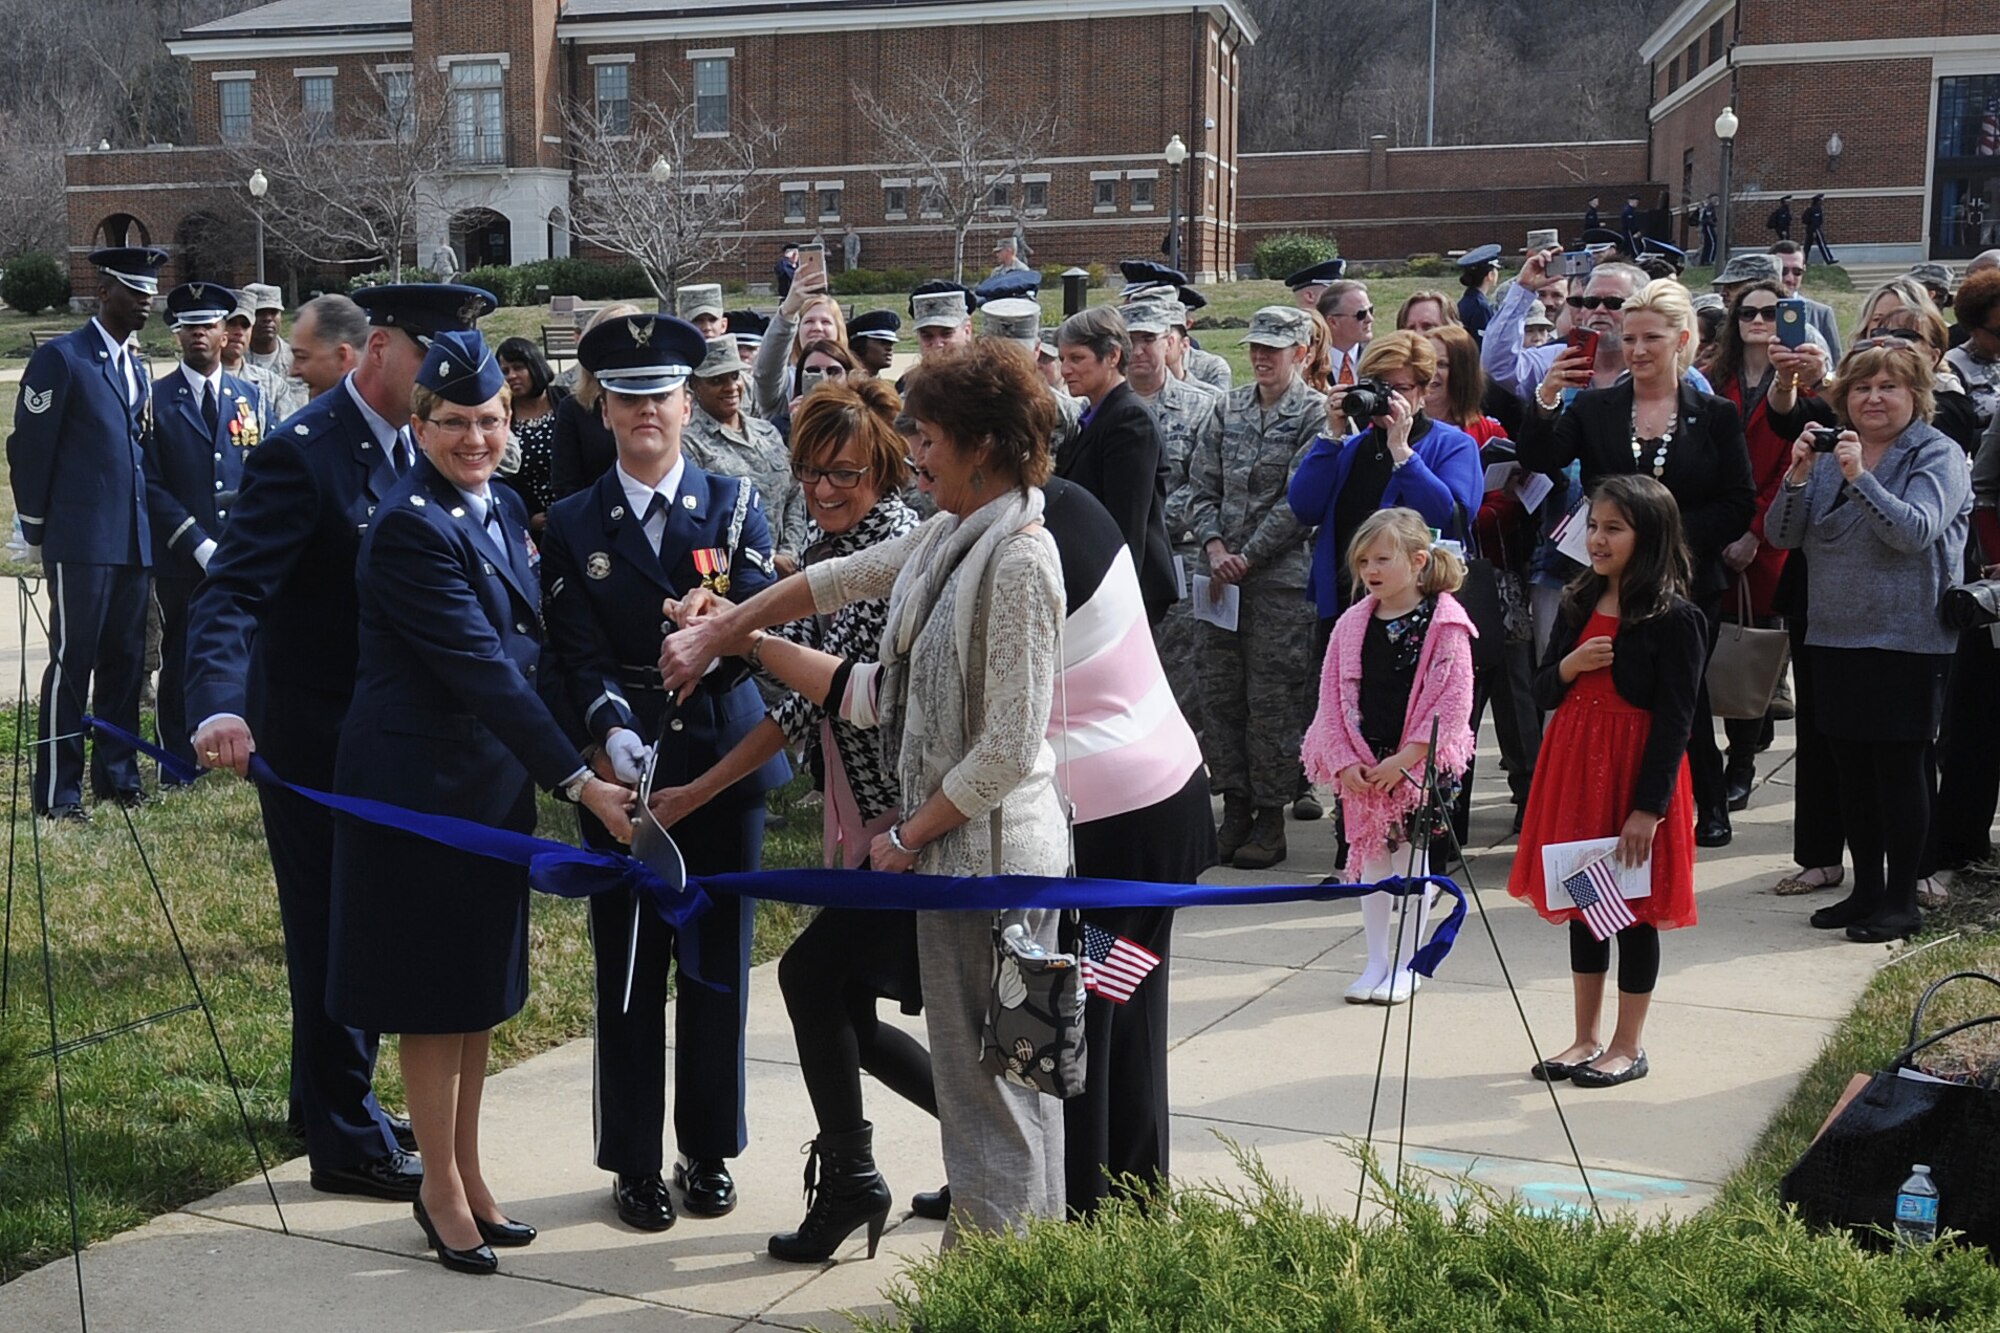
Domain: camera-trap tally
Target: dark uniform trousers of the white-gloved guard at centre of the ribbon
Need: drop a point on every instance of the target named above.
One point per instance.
(709, 1026)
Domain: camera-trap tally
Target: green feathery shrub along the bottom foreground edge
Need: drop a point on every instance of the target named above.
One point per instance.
(1217, 1260)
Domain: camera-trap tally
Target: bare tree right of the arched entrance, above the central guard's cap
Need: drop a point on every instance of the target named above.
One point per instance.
(649, 187)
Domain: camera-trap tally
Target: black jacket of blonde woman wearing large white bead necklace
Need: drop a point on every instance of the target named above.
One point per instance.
(1707, 465)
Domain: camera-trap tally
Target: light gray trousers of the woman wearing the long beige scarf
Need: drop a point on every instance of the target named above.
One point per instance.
(1003, 1144)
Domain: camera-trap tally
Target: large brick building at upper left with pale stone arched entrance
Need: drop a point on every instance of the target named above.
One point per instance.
(509, 67)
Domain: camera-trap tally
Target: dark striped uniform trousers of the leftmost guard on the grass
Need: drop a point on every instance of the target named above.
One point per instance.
(97, 659)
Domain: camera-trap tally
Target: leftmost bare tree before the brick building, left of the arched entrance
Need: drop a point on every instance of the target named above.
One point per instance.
(355, 193)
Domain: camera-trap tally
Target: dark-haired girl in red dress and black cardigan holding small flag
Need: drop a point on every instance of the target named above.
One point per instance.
(1621, 676)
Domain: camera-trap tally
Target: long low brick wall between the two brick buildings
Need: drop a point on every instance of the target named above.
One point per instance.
(1393, 203)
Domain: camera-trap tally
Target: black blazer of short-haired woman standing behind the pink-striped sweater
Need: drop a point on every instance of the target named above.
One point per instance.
(1119, 459)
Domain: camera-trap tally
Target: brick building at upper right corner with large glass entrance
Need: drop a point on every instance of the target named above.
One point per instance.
(1893, 111)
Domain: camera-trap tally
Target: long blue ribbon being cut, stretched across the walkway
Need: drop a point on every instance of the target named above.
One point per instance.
(579, 874)
